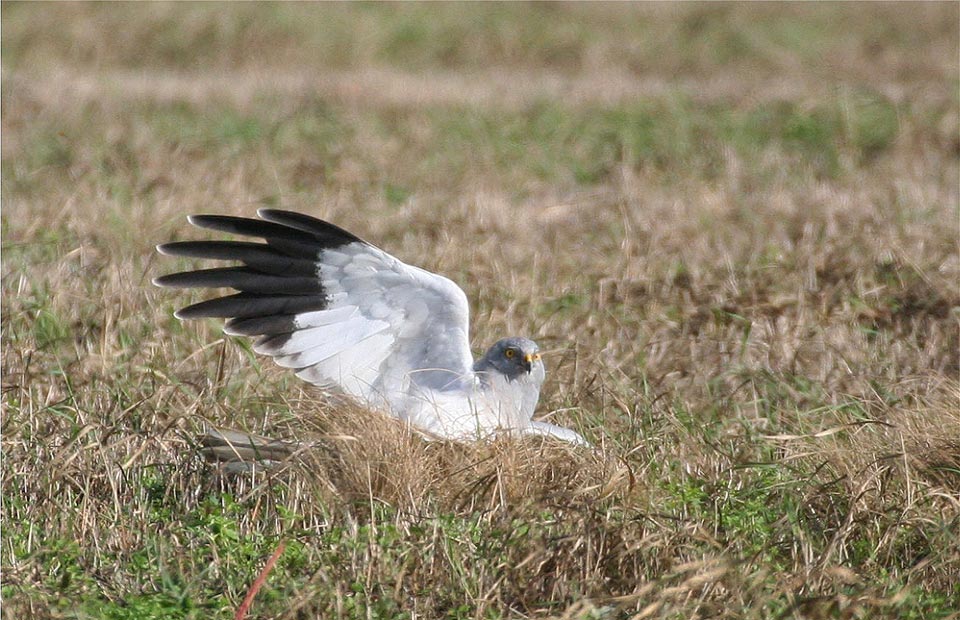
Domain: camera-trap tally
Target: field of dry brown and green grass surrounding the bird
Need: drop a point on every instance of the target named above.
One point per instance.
(734, 228)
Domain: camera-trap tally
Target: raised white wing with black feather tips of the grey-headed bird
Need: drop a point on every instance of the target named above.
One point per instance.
(338, 310)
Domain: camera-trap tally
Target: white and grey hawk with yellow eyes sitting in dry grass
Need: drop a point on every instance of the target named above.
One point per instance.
(346, 315)
